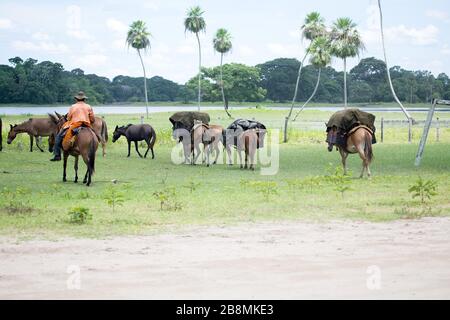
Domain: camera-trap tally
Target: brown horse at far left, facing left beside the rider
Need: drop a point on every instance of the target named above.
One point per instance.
(35, 127)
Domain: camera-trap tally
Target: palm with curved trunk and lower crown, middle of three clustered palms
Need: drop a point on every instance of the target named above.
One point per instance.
(320, 58)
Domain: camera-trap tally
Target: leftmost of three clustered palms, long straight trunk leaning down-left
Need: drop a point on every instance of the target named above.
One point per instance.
(313, 27)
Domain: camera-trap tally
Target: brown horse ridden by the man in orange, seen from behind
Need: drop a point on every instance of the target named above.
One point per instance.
(85, 145)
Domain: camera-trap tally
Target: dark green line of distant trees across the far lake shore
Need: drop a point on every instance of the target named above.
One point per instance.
(27, 81)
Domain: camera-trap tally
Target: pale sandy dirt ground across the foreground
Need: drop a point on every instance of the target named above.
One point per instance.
(289, 260)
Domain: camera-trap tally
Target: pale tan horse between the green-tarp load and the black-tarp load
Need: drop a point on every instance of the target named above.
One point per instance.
(209, 136)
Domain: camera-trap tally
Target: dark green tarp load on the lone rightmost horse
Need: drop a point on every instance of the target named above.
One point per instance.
(346, 120)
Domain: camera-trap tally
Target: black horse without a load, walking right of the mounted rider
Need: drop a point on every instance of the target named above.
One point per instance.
(141, 132)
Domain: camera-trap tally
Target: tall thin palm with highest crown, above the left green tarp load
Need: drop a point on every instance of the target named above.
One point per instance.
(195, 23)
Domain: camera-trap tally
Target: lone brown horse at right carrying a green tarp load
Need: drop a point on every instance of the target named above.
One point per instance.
(359, 140)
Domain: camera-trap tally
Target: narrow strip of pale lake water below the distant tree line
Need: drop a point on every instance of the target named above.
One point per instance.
(110, 109)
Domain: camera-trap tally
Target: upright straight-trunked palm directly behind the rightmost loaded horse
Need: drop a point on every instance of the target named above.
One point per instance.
(346, 43)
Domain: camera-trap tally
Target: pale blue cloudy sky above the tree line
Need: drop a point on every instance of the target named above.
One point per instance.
(91, 34)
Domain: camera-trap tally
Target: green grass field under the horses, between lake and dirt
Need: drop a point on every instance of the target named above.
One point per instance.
(35, 202)
